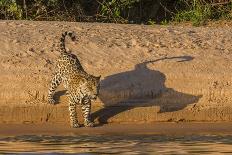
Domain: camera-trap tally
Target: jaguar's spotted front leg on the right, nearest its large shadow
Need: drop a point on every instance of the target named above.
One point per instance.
(86, 110)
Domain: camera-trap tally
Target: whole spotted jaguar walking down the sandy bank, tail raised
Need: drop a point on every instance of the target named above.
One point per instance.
(81, 87)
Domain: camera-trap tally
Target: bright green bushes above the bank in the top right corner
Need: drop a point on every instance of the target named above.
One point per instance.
(200, 11)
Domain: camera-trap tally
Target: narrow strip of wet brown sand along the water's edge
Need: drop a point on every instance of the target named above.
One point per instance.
(119, 129)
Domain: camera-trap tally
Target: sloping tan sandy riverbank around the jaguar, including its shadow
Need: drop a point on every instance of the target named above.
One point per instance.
(149, 73)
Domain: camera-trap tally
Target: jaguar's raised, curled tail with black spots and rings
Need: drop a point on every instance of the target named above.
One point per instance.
(71, 34)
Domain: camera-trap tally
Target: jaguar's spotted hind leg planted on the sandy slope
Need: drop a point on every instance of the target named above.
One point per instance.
(55, 82)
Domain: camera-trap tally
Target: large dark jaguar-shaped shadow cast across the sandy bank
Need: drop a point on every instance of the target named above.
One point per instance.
(140, 87)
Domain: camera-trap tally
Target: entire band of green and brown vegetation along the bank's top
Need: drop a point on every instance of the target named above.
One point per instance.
(118, 11)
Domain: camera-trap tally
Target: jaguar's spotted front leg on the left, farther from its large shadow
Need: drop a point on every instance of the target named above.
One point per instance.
(73, 114)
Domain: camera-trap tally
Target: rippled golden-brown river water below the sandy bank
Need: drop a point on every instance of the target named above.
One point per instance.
(117, 144)
